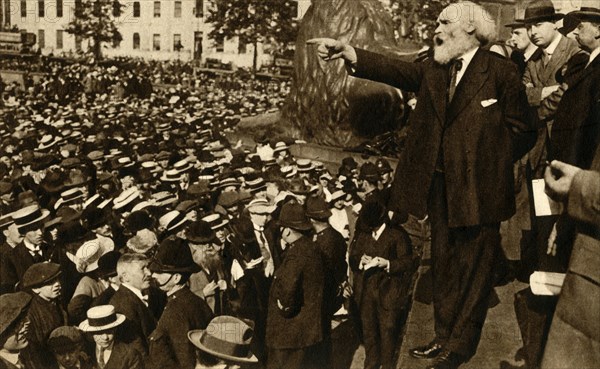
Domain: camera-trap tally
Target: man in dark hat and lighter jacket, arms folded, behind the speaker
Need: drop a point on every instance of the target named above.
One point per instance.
(543, 92)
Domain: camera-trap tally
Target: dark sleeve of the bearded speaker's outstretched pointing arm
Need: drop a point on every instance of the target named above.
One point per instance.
(380, 68)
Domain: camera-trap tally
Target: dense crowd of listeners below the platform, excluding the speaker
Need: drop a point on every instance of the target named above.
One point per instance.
(136, 235)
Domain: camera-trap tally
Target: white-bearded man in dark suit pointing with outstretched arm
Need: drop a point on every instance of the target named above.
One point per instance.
(471, 122)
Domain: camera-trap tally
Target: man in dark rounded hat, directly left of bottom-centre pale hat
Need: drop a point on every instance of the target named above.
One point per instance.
(171, 269)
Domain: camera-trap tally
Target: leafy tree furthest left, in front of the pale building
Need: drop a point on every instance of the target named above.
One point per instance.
(95, 20)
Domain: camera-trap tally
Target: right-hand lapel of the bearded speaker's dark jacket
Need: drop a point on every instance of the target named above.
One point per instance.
(470, 83)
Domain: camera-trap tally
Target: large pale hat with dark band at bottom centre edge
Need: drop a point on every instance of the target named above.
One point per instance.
(227, 338)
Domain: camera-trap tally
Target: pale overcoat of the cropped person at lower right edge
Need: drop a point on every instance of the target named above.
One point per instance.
(575, 325)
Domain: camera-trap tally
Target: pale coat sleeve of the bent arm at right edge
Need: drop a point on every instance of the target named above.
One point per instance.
(584, 197)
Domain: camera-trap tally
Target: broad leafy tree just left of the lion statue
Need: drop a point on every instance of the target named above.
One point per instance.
(254, 21)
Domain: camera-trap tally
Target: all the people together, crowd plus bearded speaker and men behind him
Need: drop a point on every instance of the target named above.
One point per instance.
(137, 236)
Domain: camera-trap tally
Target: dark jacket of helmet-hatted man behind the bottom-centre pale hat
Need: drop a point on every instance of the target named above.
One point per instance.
(169, 345)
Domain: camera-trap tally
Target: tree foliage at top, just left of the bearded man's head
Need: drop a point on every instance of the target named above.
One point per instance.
(416, 19)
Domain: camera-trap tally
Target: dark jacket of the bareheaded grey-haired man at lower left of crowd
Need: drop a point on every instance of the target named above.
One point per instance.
(140, 322)
